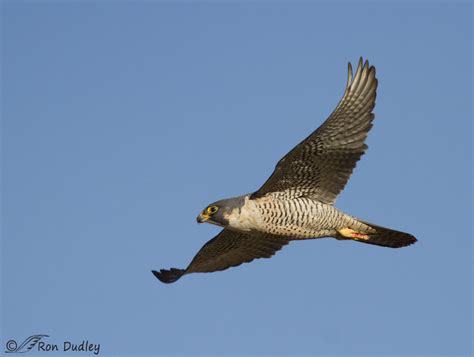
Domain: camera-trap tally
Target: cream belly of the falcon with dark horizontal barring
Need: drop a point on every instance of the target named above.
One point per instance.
(300, 218)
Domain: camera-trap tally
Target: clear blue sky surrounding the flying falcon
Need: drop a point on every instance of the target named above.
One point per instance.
(122, 120)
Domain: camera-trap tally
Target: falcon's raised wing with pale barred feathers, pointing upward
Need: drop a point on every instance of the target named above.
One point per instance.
(320, 166)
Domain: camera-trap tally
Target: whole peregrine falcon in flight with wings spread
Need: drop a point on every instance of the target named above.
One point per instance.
(297, 200)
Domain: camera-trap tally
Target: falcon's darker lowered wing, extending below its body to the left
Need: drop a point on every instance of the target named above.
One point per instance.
(228, 249)
